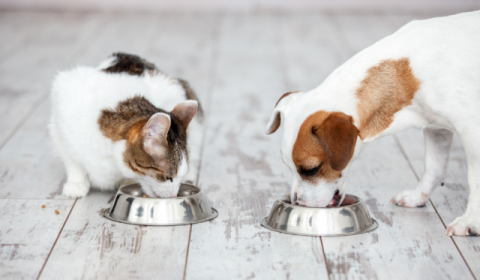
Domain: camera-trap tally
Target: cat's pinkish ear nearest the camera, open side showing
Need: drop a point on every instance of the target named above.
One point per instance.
(155, 133)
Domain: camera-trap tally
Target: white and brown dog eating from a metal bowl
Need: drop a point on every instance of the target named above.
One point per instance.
(426, 75)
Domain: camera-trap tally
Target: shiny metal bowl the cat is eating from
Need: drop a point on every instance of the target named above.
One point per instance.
(130, 206)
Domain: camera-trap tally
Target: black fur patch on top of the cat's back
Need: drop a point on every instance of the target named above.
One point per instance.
(129, 63)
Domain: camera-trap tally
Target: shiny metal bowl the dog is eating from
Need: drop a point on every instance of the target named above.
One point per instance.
(348, 219)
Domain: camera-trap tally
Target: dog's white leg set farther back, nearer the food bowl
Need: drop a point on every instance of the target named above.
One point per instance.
(437, 150)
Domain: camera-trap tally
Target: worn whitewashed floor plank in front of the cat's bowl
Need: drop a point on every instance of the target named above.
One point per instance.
(92, 247)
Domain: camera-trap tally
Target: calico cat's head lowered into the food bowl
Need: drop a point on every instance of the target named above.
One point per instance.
(156, 150)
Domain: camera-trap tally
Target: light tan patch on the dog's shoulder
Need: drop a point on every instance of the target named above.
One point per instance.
(388, 88)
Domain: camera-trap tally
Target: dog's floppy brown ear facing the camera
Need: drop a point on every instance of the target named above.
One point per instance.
(338, 136)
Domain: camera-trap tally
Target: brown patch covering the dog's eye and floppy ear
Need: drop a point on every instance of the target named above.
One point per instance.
(328, 139)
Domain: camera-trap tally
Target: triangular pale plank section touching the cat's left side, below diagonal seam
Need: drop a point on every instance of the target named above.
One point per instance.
(28, 167)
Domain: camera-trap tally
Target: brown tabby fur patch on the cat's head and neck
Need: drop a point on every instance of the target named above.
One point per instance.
(127, 122)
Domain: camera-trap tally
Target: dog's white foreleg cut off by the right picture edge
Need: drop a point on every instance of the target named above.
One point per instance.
(469, 222)
